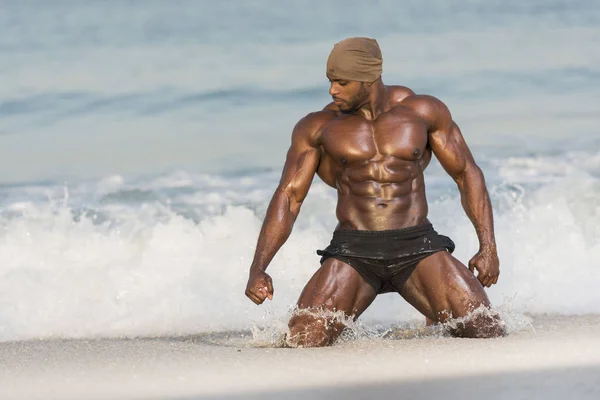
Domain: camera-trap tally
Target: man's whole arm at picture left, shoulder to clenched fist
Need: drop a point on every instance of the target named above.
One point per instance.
(300, 167)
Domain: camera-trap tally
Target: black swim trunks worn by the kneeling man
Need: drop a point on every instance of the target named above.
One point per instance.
(386, 259)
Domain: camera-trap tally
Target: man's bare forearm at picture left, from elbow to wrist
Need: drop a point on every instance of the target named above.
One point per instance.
(275, 230)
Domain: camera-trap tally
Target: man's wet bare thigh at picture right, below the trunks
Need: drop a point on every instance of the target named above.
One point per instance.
(441, 287)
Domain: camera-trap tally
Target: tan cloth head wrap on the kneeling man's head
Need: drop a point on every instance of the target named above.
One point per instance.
(355, 59)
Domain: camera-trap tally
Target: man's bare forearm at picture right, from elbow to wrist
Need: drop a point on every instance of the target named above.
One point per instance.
(477, 205)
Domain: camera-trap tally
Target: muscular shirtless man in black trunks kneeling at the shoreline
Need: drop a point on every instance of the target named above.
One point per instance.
(372, 144)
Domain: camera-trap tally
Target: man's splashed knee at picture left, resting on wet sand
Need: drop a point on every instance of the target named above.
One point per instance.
(311, 331)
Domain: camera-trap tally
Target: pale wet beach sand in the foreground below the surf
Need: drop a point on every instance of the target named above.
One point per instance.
(557, 358)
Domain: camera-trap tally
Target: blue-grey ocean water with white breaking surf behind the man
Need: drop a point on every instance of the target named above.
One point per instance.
(140, 143)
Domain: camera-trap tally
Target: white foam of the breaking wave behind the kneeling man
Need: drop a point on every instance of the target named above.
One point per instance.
(144, 269)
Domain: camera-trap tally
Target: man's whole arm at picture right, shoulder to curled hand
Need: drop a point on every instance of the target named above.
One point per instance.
(448, 145)
